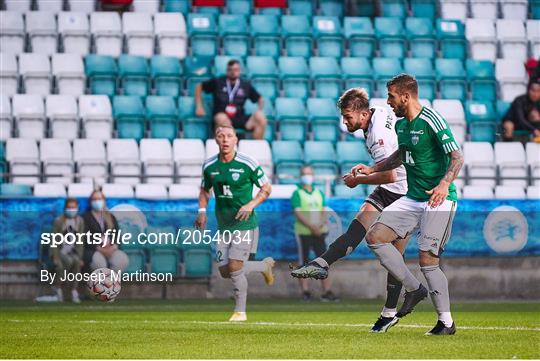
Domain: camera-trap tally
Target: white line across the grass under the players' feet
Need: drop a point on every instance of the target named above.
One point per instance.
(286, 324)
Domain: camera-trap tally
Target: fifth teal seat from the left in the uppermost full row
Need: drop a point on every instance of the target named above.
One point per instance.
(328, 34)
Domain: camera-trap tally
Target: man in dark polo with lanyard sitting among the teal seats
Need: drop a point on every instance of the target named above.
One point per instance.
(229, 95)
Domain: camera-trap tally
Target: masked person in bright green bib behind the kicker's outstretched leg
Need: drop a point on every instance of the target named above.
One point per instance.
(310, 227)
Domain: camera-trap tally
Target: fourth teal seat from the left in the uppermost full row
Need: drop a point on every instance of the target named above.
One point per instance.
(297, 34)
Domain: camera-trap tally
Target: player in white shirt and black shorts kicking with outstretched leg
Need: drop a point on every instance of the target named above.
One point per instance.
(377, 123)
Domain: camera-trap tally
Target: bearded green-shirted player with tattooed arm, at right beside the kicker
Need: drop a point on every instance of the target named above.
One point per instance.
(432, 159)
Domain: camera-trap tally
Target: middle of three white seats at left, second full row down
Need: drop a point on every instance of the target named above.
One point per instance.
(35, 71)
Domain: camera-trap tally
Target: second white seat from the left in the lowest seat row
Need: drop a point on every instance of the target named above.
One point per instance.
(57, 159)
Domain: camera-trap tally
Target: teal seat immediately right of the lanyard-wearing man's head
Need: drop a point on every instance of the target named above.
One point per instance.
(263, 72)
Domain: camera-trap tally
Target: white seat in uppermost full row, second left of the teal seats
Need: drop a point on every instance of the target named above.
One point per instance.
(139, 31)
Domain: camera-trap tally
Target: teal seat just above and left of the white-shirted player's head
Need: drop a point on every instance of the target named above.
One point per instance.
(326, 76)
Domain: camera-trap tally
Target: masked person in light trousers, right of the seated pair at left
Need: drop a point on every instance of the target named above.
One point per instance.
(97, 220)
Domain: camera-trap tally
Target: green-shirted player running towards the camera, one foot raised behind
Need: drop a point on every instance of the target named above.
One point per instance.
(231, 175)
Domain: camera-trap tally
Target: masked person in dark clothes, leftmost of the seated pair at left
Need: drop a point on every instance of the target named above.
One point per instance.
(68, 257)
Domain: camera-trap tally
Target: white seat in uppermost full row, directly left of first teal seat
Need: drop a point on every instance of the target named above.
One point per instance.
(170, 29)
